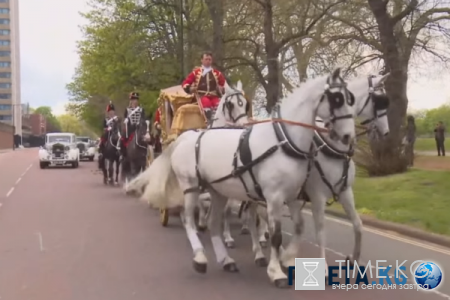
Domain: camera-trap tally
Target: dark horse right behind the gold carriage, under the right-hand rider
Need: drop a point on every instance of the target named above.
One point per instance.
(137, 149)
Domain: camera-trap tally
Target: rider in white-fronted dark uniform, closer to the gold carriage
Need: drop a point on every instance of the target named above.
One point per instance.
(134, 113)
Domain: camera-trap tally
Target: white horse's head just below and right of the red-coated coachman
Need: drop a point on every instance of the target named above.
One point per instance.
(233, 107)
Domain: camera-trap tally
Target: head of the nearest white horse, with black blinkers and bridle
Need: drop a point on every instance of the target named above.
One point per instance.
(336, 108)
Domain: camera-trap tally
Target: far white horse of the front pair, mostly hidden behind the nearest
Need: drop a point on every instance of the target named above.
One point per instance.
(333, 173)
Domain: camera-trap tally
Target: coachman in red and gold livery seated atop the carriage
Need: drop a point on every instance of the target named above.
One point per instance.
(208, 83)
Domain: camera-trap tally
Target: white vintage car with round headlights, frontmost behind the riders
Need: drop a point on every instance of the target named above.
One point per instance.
(60, 150)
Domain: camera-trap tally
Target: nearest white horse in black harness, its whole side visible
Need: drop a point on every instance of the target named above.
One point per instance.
(273, 157)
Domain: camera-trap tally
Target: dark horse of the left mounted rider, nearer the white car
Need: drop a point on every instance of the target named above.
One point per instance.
(111, 155)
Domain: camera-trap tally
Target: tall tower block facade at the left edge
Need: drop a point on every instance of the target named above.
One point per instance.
(10, 100)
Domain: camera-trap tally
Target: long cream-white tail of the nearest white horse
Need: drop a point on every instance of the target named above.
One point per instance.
(163, 190)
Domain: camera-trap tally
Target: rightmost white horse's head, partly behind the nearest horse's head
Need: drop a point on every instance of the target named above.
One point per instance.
(371, 101)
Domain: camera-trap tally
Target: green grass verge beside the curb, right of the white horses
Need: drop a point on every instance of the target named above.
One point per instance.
(418, 198)
